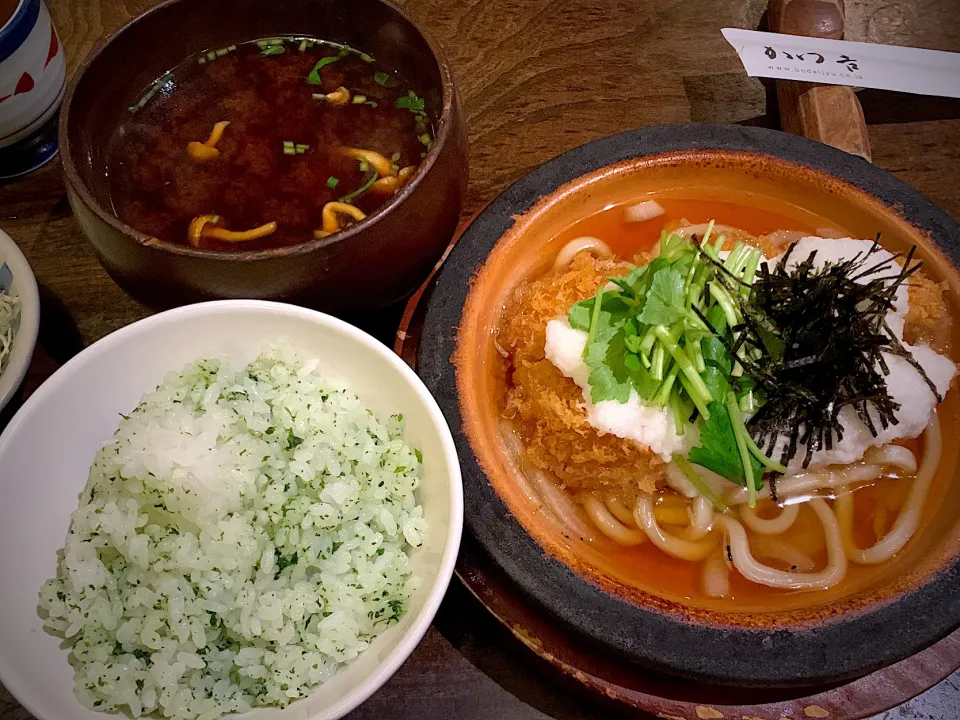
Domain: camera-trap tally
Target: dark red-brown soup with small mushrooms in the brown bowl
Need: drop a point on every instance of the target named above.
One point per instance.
(265, 144)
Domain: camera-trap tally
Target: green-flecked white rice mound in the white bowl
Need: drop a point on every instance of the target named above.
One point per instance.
(242, 535)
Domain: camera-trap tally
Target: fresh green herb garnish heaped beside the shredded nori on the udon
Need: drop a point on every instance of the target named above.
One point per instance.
(669, 331)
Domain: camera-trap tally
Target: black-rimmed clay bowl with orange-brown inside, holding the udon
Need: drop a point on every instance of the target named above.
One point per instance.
(876, 617)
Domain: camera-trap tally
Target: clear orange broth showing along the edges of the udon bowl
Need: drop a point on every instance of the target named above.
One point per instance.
(648, 568)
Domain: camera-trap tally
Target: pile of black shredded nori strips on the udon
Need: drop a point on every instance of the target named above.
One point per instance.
(821, 336)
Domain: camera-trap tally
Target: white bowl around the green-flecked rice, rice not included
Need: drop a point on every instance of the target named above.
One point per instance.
(47, 449)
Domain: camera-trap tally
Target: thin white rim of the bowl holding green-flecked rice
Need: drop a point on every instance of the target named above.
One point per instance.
(387, 667)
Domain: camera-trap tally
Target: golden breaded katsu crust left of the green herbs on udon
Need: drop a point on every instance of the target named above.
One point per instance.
(548, 407)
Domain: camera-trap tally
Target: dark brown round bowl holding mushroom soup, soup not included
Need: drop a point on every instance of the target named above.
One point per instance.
(373, 263)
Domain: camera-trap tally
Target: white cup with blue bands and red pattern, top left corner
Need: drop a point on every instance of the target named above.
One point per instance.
(32, 76)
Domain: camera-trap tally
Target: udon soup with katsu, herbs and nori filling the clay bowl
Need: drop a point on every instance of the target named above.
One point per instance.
(726, 406)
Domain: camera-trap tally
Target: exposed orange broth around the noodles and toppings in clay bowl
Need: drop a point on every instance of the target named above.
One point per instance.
(877, 503)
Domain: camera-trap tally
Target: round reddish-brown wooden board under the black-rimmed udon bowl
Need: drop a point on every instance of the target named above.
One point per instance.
(664, 696)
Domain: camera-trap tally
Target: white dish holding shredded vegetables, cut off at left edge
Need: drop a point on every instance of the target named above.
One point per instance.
(25, 287)
